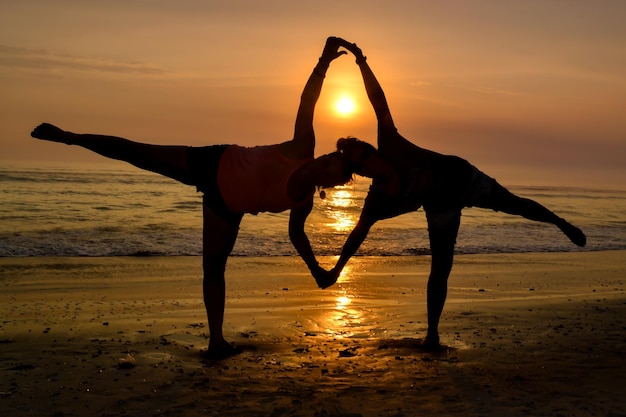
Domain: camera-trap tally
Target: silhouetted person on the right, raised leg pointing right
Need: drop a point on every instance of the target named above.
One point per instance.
(407, 177)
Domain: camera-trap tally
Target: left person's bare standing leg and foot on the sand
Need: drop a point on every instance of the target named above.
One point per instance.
(219, 237)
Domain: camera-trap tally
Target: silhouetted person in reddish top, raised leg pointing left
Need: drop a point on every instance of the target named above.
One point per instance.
(236, 180)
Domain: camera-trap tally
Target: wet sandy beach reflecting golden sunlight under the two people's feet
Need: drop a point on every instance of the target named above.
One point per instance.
(525, 335)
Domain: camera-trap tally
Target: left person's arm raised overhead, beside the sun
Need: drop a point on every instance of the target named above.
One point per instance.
(303, 143)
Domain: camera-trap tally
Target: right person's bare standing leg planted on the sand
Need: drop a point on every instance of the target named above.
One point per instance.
(443, 228)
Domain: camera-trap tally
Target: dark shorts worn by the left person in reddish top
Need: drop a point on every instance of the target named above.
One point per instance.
(203, 163)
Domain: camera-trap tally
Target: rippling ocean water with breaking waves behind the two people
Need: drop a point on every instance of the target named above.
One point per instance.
(100, 211)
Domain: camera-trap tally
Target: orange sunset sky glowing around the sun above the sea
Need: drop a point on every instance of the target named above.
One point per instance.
(531, 92)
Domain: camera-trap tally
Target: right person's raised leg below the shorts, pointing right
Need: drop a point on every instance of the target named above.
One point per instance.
(501, 199)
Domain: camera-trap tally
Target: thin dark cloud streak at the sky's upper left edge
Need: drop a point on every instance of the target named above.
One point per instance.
(42, 60)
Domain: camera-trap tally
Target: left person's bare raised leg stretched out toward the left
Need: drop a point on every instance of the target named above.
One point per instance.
(170, 161)
